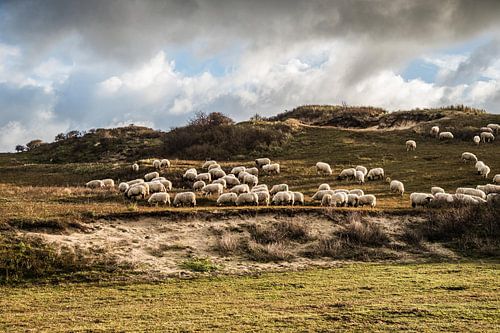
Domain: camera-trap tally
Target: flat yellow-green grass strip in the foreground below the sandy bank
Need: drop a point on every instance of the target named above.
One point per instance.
(428, 297)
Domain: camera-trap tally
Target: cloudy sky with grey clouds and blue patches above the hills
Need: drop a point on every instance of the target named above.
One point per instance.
(75, 65)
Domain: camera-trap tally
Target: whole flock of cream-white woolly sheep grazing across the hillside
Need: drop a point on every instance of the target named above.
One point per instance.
(241, 186)
